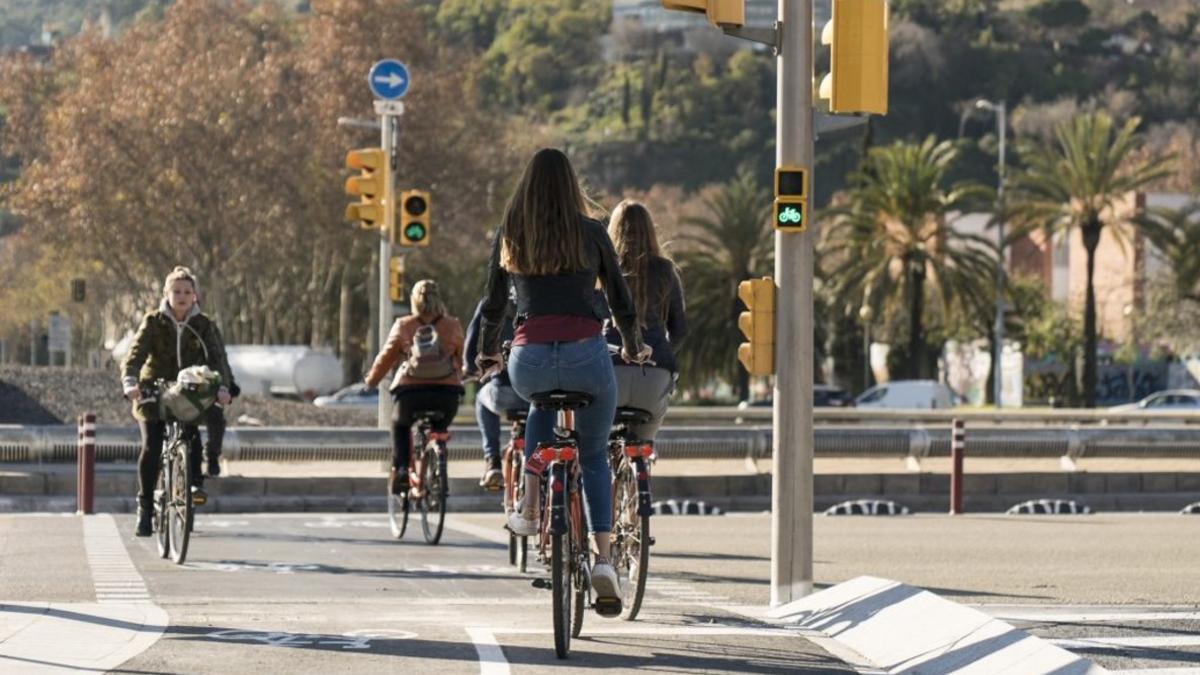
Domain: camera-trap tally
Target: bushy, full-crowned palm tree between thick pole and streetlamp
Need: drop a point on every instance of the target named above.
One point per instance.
(893, 249)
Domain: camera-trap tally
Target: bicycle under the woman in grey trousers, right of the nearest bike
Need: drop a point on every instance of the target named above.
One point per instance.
(631, 461)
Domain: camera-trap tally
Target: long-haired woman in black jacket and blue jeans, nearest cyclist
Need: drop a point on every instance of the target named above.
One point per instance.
(553, 254)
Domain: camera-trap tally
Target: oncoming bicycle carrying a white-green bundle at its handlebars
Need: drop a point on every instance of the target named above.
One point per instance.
(175, 503)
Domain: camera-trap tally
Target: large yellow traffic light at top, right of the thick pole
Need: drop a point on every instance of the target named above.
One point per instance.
(857, 37)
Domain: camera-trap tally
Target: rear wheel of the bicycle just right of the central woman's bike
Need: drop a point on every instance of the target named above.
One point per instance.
(632, 536)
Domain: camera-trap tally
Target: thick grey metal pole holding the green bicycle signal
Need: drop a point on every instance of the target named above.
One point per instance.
(791, 525)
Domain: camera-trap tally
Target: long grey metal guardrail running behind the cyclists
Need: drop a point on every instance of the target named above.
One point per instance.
(32, 445)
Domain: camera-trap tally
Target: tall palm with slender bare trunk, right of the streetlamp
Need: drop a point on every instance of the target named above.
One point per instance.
(1073, 184)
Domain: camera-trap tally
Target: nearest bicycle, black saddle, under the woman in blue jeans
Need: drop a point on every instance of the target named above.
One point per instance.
(562, 536)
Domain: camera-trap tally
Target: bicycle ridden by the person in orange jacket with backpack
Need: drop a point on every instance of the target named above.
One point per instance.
(428, 482)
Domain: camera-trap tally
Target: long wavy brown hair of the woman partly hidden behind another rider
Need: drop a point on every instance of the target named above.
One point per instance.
(632, 230)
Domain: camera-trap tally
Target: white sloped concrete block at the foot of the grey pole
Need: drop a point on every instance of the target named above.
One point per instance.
(901, 629)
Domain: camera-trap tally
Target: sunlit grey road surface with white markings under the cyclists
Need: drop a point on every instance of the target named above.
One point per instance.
(316, 593)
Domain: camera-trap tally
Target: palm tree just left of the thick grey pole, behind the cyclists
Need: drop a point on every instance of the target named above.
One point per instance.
(719, 252)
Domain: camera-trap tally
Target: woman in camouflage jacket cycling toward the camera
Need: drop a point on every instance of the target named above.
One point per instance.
(175, 337)
